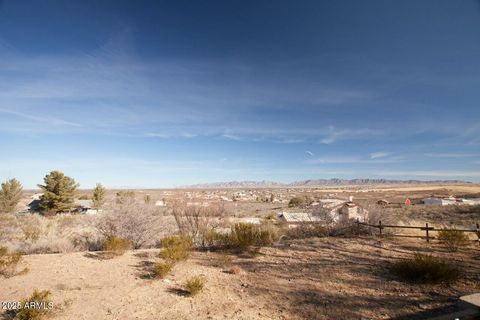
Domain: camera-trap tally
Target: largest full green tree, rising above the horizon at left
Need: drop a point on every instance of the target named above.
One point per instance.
(58, 193)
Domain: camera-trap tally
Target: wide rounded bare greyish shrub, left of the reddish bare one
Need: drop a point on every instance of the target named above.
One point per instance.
(130, 220)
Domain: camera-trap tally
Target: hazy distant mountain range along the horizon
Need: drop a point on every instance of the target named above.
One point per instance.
(316, 182)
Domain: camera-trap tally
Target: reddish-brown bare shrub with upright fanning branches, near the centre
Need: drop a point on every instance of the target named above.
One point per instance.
(195, 220)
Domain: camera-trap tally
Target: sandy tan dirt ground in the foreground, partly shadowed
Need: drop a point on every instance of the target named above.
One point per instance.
(317, 278)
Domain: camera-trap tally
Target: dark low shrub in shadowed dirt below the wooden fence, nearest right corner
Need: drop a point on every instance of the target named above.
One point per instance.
(425, 269)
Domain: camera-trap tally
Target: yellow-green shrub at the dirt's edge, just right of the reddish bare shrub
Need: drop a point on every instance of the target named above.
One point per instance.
(244, 235)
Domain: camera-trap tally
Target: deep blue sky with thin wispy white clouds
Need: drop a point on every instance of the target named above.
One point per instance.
(170, 93)
